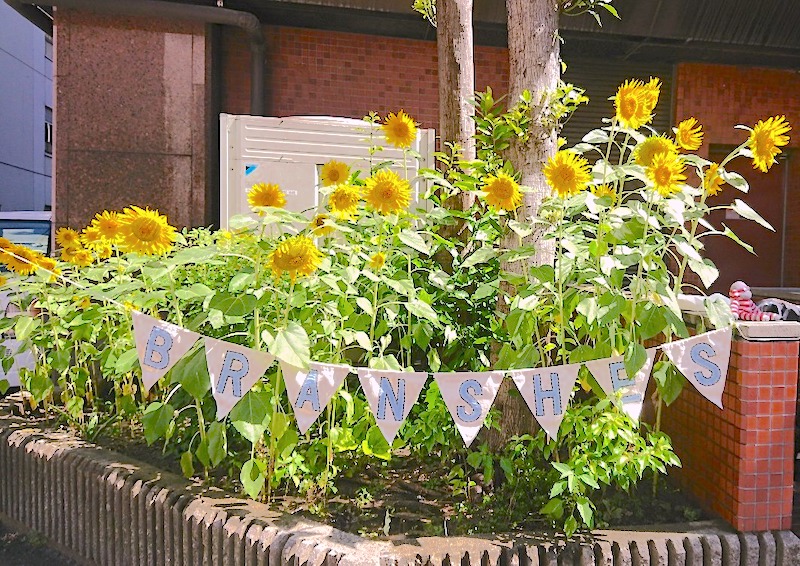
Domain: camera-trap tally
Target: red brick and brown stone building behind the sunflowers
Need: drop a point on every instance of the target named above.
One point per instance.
(140, 84)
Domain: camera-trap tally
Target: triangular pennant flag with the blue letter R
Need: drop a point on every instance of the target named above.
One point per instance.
(234, 370)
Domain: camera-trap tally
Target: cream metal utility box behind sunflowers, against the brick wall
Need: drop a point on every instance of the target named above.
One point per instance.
(291, 151)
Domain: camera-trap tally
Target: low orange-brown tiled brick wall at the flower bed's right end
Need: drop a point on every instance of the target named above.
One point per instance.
(739, 461)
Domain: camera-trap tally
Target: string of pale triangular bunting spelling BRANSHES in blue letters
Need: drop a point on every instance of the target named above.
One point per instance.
(234, 369)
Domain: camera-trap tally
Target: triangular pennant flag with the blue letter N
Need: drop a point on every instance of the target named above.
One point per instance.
(390, 395)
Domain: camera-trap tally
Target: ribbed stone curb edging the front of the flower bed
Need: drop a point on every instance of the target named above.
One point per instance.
(103, 508)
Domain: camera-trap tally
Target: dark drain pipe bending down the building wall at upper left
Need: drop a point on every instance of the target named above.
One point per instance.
(171, 10)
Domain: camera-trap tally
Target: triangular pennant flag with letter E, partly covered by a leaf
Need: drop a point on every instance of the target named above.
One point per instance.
(610, 374)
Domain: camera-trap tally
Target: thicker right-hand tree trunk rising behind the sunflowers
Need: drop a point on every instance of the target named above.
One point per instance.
(533, 50)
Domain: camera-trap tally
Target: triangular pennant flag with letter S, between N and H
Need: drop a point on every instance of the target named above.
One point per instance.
(469, 396)
